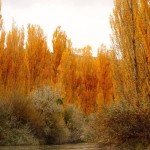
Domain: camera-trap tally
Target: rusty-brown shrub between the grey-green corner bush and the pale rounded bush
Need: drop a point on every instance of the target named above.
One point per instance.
(24, 111)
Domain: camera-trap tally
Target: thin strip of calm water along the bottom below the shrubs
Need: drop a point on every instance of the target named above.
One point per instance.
(82, 146)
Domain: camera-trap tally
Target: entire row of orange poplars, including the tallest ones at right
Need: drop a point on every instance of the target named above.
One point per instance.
(87, 81)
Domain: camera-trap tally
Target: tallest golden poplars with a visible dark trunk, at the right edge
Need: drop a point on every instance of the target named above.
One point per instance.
(131, 39)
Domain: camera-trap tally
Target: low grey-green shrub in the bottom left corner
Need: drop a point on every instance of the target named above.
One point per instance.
(10, 132)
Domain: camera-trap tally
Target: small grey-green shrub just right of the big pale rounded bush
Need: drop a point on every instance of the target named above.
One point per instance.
(75, 121)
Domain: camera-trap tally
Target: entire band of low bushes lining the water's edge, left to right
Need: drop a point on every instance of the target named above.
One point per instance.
(41, 118)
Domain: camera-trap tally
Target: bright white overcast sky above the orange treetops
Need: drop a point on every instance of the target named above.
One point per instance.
(86, 22)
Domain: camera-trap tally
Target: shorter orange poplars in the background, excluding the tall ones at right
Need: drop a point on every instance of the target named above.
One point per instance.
(83, 79)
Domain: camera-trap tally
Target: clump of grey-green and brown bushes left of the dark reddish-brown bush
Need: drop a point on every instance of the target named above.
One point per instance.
(39, 119)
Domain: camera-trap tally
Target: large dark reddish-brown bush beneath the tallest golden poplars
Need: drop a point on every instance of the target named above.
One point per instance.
(123, 125)
